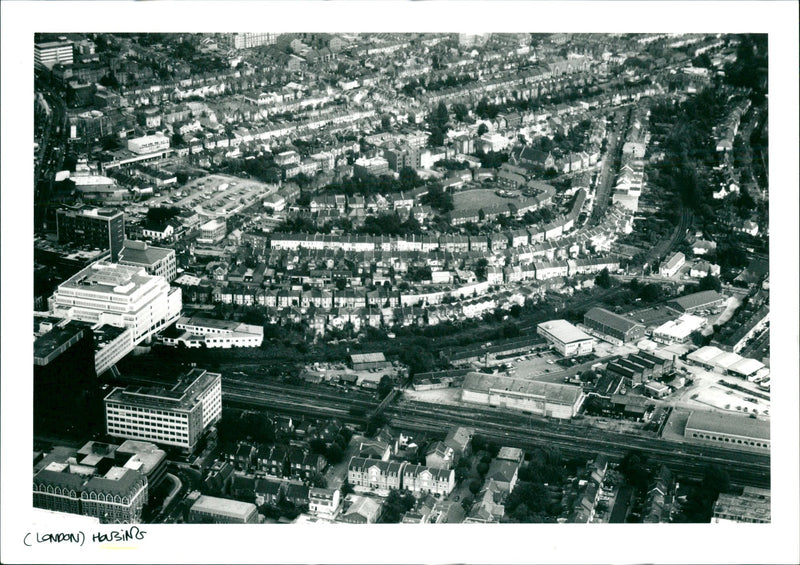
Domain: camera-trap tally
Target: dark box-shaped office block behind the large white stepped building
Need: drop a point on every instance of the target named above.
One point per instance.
(97, 227)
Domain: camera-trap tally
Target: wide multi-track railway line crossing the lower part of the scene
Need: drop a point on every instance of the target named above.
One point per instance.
(504, 426)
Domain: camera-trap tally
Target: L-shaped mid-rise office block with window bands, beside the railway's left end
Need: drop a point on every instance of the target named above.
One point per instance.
(178, 416)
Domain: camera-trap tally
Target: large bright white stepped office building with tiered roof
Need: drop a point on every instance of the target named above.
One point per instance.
(120, 296)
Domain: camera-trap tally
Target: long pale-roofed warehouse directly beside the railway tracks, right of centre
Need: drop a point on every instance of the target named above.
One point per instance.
(540, 398)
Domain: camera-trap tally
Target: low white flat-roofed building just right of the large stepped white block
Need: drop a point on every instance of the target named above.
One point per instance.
(208, 332)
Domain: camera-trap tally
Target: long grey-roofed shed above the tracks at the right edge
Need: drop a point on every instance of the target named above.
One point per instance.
(728, 430)
